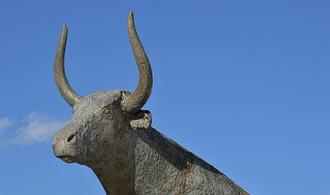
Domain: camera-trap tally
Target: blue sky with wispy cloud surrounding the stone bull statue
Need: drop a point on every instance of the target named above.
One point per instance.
(245, 85)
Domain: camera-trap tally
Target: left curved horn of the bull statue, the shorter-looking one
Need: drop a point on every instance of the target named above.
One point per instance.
(61, 81)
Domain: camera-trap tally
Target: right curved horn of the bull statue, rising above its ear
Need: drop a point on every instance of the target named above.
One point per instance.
(133, 102)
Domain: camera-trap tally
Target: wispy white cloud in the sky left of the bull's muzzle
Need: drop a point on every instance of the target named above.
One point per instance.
(36, 127)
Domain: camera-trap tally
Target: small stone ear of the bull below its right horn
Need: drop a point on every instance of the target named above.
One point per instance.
(141, 120)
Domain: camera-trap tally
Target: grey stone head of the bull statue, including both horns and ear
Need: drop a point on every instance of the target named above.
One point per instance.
(103, 112)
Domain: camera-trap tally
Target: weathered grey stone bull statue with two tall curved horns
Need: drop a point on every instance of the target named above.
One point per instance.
(112, 135)
